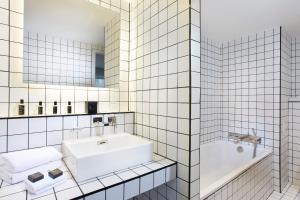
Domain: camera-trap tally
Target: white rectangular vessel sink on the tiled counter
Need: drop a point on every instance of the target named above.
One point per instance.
(86, 158)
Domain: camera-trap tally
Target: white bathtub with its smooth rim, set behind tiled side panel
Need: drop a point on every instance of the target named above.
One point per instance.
(220, 162)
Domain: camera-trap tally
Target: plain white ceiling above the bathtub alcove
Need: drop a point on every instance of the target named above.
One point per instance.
(224, 20)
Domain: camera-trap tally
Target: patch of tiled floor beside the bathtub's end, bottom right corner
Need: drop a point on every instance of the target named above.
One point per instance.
(291, 192)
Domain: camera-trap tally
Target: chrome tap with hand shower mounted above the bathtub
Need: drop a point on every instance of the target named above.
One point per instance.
(253, 139)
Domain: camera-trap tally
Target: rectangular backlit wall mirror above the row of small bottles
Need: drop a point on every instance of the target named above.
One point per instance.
(71, 42)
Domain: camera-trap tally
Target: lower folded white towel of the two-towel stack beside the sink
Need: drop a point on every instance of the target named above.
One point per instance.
(13, 178)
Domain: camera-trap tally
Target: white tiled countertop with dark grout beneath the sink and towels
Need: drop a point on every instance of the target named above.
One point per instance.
(120, 185)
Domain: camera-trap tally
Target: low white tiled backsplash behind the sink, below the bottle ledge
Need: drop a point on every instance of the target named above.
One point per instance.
(25, 133)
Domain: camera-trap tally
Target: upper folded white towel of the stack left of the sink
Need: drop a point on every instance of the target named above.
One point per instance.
(23, 160)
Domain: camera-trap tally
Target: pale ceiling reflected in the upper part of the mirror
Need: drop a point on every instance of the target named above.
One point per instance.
(77, 20)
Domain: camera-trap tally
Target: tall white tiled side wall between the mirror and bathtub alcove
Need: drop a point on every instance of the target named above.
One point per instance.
(160, 83)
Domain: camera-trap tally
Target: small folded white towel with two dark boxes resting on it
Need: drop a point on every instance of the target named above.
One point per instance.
(45, 184)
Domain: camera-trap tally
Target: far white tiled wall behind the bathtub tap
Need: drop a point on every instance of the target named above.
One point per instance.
(251, 89)
